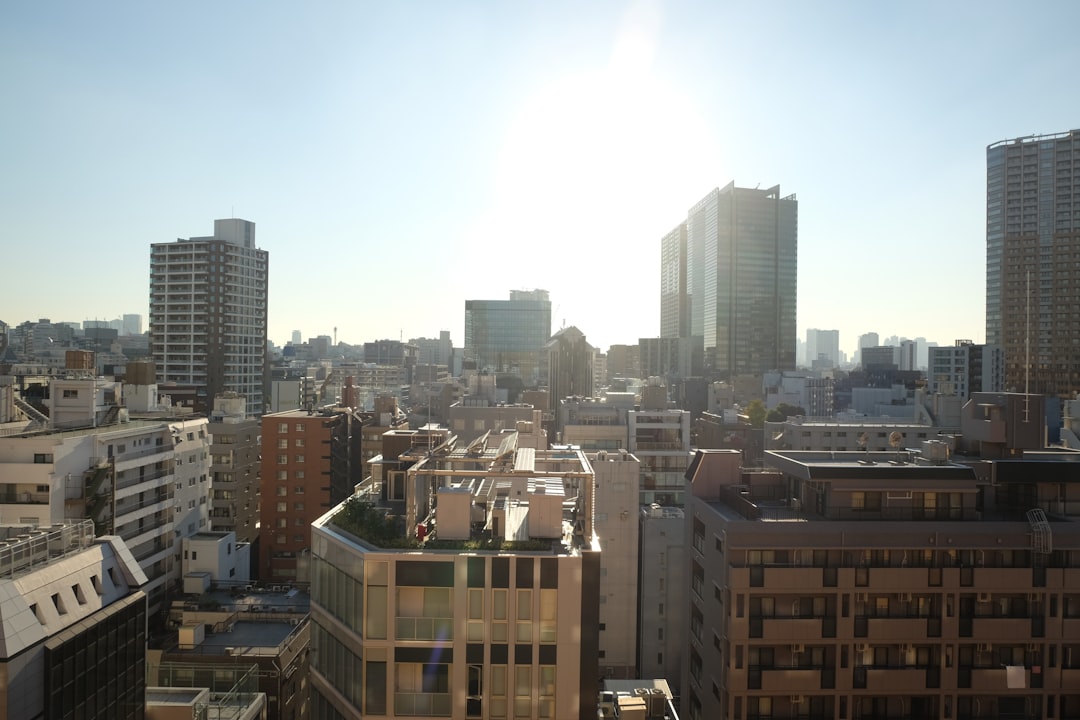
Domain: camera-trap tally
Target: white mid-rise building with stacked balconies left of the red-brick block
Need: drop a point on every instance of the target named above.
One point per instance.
(143, 479)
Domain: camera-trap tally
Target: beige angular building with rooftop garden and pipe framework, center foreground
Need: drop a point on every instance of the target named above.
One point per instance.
(490, 612)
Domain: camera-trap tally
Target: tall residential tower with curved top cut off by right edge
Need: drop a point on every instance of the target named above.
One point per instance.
(1033, 239)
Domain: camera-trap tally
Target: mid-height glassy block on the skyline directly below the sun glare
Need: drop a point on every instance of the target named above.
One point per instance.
(509, 336)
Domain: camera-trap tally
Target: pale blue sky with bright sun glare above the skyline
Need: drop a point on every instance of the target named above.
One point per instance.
(401, 158)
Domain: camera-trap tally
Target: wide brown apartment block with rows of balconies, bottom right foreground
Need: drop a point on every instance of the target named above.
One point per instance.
(854, 586)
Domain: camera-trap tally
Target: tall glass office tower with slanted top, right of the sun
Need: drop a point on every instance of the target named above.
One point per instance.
(741, 279)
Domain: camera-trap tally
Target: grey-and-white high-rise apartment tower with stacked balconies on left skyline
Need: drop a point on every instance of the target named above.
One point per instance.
(209, 314)
